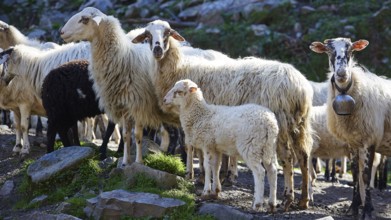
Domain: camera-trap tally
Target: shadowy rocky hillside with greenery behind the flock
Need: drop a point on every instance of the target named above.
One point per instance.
(273, 29)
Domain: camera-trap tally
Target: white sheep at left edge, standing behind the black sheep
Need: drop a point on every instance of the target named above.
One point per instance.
(30, 65)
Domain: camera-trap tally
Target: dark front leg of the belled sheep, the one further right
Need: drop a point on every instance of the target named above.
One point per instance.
(366, 157)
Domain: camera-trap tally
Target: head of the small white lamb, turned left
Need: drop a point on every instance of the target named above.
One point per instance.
(178, 93)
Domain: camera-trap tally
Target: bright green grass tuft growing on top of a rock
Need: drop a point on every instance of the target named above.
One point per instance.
(168, 163)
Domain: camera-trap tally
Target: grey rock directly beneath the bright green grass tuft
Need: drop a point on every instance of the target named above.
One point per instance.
(163, 179)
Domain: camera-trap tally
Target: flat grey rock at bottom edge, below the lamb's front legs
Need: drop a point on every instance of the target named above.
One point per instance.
(223, 212)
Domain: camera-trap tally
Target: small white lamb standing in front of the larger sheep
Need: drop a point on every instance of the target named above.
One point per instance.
(247, 130)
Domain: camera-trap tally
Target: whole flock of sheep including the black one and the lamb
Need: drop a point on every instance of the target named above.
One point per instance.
(250, 108)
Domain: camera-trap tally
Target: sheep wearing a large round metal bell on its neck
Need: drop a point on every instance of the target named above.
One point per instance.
(357, 112)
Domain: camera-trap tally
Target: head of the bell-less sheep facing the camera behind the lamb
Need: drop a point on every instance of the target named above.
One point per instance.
(157, 34)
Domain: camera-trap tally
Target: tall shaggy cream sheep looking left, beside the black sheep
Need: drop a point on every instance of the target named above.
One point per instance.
(121, 72)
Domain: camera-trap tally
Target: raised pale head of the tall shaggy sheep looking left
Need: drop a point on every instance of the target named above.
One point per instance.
(82, 26)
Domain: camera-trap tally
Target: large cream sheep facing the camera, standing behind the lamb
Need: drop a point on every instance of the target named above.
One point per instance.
(278, 86)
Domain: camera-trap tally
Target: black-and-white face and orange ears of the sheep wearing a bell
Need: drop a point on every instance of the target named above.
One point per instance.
(340, 52)
